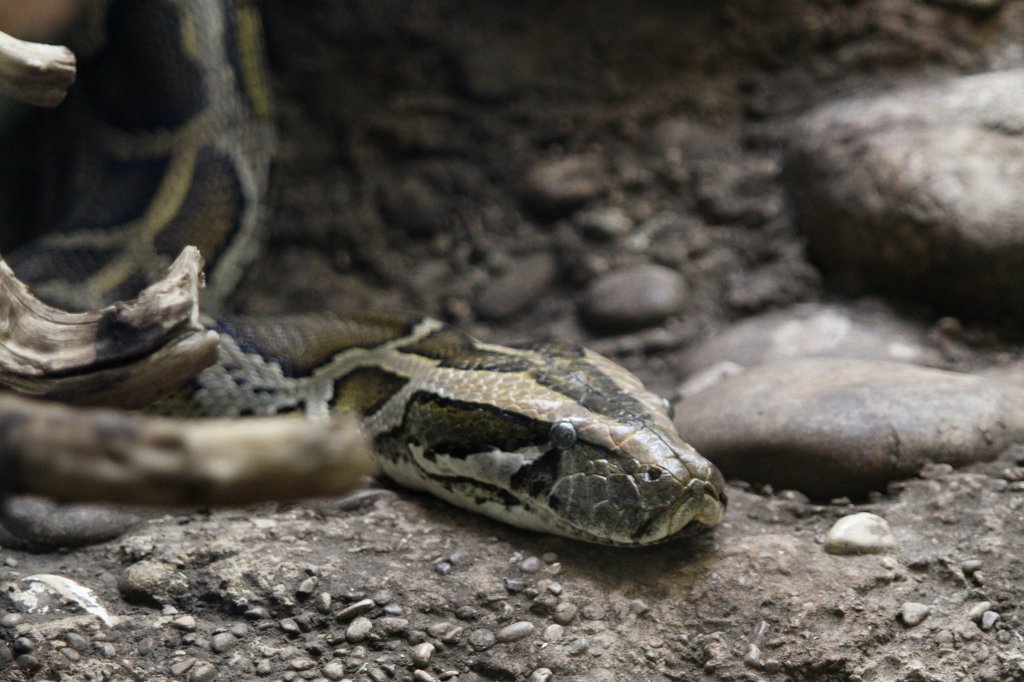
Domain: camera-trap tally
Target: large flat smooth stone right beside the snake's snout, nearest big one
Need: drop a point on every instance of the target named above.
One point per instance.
(833, 428)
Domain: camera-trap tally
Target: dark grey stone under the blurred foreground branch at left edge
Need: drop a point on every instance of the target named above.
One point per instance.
(39, 525)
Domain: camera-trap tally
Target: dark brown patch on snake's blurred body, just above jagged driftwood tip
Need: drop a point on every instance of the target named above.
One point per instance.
(211, 214)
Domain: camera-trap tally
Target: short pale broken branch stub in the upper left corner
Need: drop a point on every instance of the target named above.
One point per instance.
(35, 73)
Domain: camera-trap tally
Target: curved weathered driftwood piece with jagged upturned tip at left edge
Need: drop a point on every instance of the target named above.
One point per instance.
(126, 356)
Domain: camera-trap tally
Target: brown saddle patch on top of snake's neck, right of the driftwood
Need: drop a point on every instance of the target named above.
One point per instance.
(303, 344)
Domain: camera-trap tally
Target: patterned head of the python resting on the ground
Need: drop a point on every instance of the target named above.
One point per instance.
(557, 440)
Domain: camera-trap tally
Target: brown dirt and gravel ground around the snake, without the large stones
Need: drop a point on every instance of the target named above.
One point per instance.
(410, 133)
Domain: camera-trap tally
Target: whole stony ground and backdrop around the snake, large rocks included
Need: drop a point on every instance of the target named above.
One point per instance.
(803, 222)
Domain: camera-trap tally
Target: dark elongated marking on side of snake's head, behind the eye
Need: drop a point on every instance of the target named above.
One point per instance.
(456, 429)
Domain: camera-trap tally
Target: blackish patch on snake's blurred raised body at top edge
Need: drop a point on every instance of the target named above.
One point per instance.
(144, 79)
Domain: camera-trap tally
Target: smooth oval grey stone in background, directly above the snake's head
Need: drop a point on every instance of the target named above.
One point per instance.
(633, 299)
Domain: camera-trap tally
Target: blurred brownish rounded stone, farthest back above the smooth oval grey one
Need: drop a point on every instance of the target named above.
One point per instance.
(559, 187)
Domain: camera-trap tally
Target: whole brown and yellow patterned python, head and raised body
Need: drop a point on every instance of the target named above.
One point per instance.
(174, 144)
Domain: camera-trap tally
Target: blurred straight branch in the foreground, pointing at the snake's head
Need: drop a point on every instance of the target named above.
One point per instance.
(81, 455)
